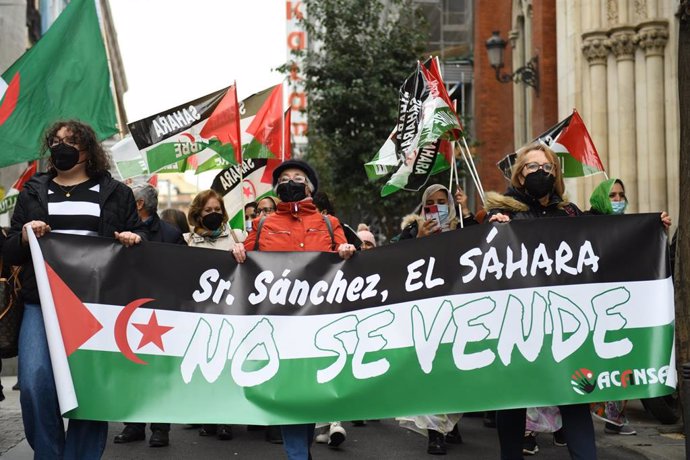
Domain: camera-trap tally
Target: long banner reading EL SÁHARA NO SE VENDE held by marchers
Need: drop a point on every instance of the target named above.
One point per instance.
(307, 337)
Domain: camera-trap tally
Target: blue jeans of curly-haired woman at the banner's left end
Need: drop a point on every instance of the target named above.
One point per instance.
(43, 425)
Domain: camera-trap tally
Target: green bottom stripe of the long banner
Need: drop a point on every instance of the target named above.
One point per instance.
(294, 396)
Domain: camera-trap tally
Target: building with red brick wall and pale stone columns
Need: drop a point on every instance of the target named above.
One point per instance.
(615, 61)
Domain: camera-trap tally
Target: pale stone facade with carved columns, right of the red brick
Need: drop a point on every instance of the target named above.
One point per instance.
(618, 64)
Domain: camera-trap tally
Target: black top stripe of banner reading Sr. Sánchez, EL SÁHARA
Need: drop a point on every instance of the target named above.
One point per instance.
(610, 249)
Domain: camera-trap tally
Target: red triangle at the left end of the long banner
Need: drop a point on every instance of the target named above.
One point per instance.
(77, 323)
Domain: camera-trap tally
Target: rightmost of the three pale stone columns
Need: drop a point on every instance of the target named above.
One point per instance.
(652, 37)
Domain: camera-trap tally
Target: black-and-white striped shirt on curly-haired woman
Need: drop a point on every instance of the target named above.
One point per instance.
(74, 209)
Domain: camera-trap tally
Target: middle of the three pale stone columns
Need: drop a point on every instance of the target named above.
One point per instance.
(623, 48)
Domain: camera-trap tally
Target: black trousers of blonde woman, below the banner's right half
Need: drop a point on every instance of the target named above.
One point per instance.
(577, 427)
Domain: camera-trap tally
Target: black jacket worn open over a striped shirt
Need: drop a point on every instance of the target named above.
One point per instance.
(118, 214)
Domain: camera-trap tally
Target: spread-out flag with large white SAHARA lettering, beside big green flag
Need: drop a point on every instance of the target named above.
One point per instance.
(170, 137)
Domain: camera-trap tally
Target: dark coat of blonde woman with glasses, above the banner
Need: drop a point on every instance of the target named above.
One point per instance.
(518, 205)
